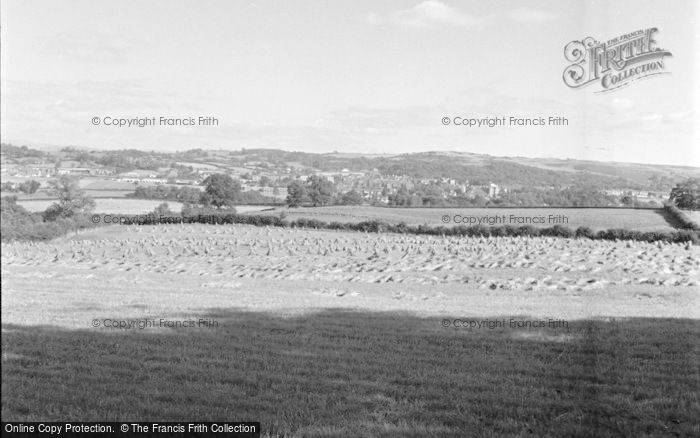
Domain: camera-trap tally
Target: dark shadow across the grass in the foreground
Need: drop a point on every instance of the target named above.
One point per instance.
(350, 373)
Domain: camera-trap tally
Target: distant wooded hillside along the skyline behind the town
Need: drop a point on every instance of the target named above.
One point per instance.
(477, 169)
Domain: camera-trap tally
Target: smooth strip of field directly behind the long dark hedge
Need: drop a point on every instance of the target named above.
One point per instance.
(595, 218)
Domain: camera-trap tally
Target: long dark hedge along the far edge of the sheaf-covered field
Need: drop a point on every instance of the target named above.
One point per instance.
(375, 226)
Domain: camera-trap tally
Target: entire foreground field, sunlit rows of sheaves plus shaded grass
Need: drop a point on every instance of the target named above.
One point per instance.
(319, 333)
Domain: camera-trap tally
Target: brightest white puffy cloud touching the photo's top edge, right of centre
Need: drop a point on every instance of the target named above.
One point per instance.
(427, 14)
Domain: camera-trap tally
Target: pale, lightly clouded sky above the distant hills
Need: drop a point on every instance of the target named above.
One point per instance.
(350, 76)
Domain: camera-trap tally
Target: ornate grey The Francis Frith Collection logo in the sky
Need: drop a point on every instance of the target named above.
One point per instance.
(615, 63)
